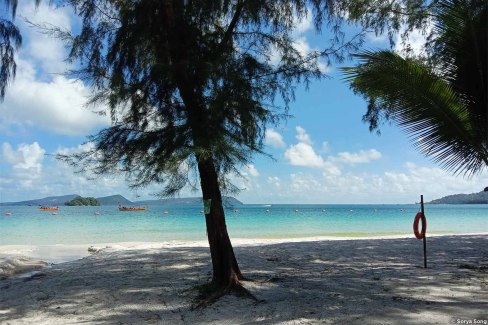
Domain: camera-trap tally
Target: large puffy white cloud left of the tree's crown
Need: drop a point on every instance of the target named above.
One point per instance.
(56, 105)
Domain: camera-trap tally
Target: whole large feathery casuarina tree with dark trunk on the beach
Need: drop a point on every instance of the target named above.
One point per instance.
(191, 86)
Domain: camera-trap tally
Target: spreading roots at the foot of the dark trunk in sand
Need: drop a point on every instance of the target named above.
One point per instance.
(210, 293)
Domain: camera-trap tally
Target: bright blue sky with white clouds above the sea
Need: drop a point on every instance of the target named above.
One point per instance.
(324, 153)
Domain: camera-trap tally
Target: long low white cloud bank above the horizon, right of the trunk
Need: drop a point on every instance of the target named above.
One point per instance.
(392, 186)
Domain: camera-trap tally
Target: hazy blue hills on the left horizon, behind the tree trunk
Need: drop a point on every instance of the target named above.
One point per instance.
(120, 200)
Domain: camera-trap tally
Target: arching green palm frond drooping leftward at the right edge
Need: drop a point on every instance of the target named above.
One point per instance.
(424, 105)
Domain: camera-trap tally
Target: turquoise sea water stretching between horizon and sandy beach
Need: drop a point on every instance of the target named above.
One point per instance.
(81, 225)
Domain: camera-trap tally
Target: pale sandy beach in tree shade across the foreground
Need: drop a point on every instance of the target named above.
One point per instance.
(366, 281)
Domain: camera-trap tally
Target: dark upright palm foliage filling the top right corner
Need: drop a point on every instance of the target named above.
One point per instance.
(460, 53)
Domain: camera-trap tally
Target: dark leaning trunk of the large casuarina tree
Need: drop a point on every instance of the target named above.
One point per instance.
(226, 273)
